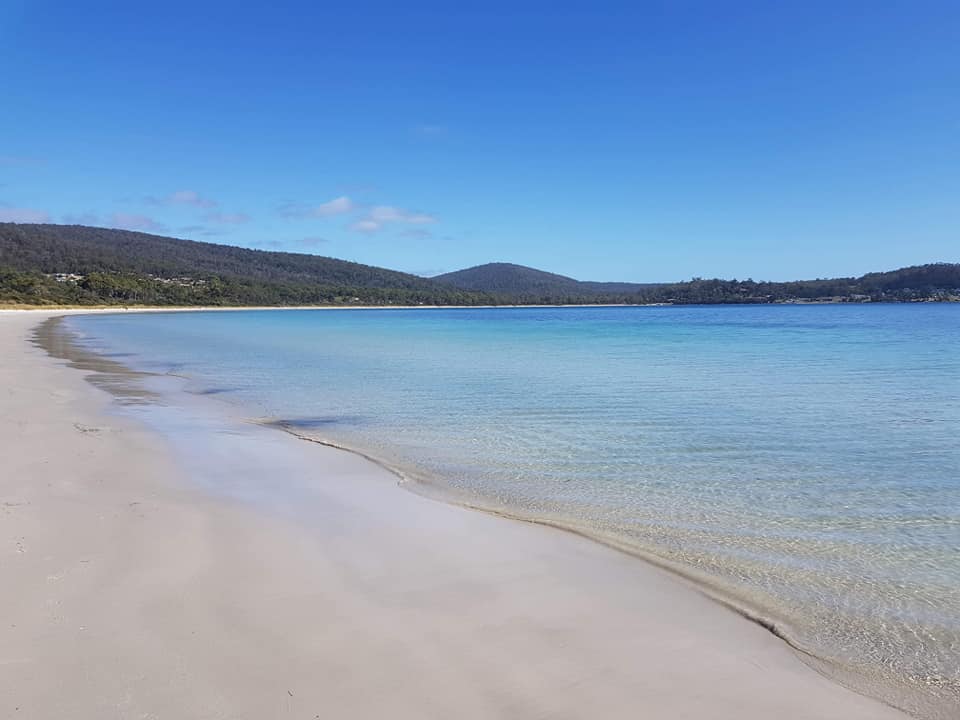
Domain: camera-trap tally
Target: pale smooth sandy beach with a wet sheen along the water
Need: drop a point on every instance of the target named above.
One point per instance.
(259, 576)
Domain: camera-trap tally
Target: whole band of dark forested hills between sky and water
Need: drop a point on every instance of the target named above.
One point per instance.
(79, 265)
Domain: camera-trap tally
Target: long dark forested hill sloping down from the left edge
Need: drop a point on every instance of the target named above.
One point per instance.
(79, 264)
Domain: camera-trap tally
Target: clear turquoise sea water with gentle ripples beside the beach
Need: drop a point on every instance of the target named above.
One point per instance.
(800, 462)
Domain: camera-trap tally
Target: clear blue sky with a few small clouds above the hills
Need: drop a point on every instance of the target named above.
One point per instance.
(636, 141)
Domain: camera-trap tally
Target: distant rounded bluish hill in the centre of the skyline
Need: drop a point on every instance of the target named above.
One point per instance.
(526, 281)
